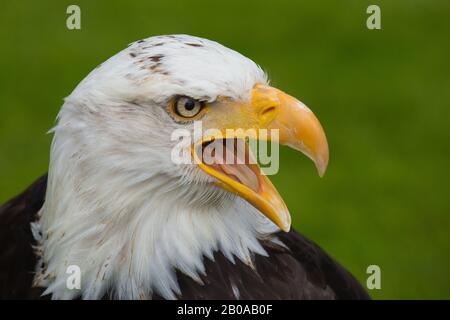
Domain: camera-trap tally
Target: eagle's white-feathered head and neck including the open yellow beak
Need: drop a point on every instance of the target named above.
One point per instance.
(122, 207)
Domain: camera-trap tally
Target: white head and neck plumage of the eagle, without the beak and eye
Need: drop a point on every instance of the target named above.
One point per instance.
(116, 205)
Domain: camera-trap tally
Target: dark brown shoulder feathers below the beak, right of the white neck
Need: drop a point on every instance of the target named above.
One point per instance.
(297, 269)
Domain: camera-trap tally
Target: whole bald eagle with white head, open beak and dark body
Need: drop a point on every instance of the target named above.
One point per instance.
(139, 226)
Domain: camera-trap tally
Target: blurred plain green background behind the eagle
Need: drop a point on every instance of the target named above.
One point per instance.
(382, 96)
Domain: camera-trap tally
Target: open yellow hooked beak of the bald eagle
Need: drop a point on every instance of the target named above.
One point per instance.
(270, 109)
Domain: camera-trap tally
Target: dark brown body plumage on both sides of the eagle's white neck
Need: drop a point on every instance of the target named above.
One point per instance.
(302, 270)
